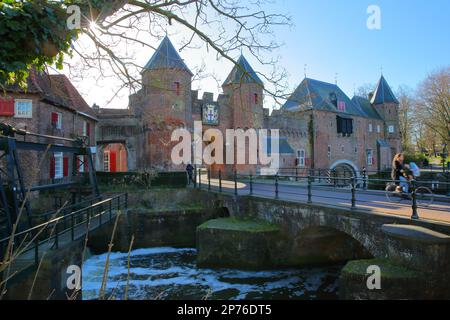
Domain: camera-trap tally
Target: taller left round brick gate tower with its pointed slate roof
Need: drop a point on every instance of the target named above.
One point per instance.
(165, 103)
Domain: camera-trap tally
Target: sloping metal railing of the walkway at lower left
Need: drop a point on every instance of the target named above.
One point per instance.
(56, 228)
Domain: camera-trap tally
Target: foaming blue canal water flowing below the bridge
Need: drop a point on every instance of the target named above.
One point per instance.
(172, 274)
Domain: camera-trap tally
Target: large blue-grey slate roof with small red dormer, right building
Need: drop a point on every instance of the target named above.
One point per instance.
(315, 94)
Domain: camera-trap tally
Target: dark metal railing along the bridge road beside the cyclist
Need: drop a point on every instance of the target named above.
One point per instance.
(351, 186)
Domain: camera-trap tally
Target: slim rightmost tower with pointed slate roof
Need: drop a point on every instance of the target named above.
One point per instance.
(386, 104)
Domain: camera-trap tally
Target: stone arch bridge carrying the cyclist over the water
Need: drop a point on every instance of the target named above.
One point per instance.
(325, 233)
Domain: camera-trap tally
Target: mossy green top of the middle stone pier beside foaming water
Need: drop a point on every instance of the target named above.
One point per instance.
(239, 225)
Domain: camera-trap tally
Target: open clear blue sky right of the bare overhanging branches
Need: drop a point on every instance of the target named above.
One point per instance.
(331, 37)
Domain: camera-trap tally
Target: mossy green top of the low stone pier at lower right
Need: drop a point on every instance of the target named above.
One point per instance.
(388, 269)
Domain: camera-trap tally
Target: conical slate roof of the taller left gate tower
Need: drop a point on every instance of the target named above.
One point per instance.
(166, 57)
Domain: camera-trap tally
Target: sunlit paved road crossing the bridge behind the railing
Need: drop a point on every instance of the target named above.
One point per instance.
(368, 200)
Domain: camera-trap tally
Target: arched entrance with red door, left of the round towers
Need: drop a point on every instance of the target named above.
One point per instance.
(114, 158)
